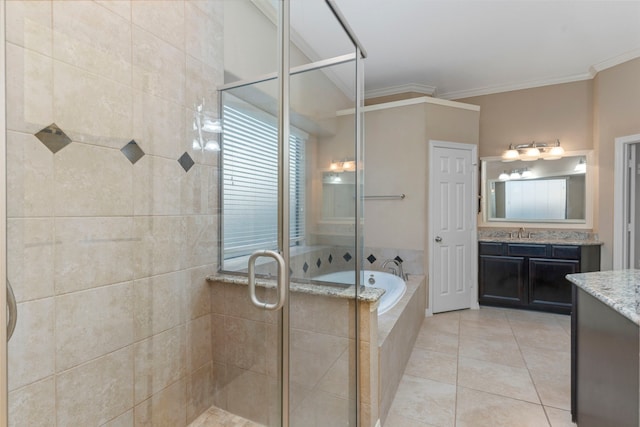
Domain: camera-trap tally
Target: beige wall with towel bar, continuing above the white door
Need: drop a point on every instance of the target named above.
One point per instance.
(396, 162)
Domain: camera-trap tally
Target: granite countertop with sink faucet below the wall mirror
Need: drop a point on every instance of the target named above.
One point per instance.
(580, 237)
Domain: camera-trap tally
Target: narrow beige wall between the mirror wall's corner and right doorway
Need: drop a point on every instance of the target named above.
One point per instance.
(617, 113)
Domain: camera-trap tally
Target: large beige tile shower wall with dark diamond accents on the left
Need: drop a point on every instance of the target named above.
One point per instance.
(108, 259)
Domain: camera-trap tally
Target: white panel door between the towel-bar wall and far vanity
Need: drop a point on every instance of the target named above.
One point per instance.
(452, 226)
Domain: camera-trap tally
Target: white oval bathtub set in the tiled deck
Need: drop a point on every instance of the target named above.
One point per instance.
(393, 286)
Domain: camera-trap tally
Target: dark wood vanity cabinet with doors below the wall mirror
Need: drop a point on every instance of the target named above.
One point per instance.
(531, 275)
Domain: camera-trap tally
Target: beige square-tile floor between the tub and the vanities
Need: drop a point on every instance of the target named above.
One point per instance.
(489, 367)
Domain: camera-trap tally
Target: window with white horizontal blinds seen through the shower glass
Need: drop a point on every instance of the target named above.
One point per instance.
(250, 183)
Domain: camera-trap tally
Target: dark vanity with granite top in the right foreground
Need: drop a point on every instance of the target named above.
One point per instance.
(605, 348)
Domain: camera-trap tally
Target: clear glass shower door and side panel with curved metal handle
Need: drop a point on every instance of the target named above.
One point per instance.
(308, 349)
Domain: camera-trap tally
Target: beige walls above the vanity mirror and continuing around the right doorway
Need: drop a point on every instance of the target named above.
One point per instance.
(583, 115)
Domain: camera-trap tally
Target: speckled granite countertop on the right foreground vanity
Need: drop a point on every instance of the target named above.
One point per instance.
(618, 289)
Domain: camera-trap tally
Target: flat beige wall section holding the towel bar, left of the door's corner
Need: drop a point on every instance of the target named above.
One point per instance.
(395, 156)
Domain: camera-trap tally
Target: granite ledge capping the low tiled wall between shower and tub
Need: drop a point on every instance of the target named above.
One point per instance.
(369, 294)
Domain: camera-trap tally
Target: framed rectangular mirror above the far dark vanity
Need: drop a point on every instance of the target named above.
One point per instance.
(546, 191)
